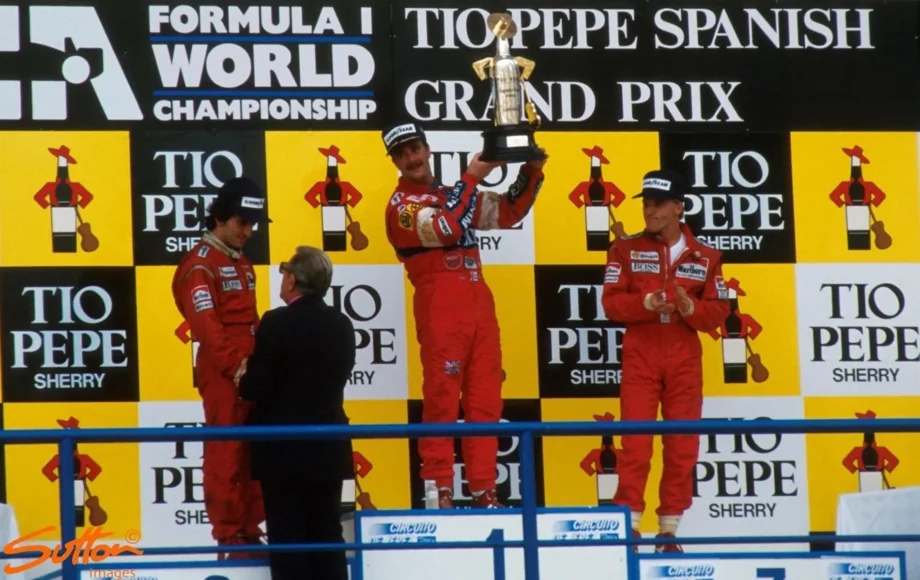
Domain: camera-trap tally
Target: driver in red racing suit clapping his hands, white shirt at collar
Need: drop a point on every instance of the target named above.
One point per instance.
(666, 287)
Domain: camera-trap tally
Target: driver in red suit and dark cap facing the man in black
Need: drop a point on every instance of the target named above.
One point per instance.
(214, 290)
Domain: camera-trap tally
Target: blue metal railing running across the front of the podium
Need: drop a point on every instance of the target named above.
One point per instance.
(526, 431)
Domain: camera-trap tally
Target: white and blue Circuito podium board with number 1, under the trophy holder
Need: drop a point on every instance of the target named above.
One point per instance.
(602, 524)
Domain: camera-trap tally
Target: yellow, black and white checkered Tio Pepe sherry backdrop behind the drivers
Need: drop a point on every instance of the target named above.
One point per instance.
(817, 216)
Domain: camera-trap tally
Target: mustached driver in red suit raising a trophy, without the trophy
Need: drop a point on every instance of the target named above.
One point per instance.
(430, 226)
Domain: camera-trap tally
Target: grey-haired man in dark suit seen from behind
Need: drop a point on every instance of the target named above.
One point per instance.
(304, 354)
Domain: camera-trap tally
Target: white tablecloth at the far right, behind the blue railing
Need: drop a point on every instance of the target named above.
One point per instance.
(892, 511)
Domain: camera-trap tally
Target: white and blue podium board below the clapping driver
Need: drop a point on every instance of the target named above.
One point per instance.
(774, 566)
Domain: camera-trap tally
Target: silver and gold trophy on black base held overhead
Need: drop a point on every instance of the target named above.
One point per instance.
(510, 139)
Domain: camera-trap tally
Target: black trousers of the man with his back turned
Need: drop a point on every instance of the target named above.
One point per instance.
(304, 512)
